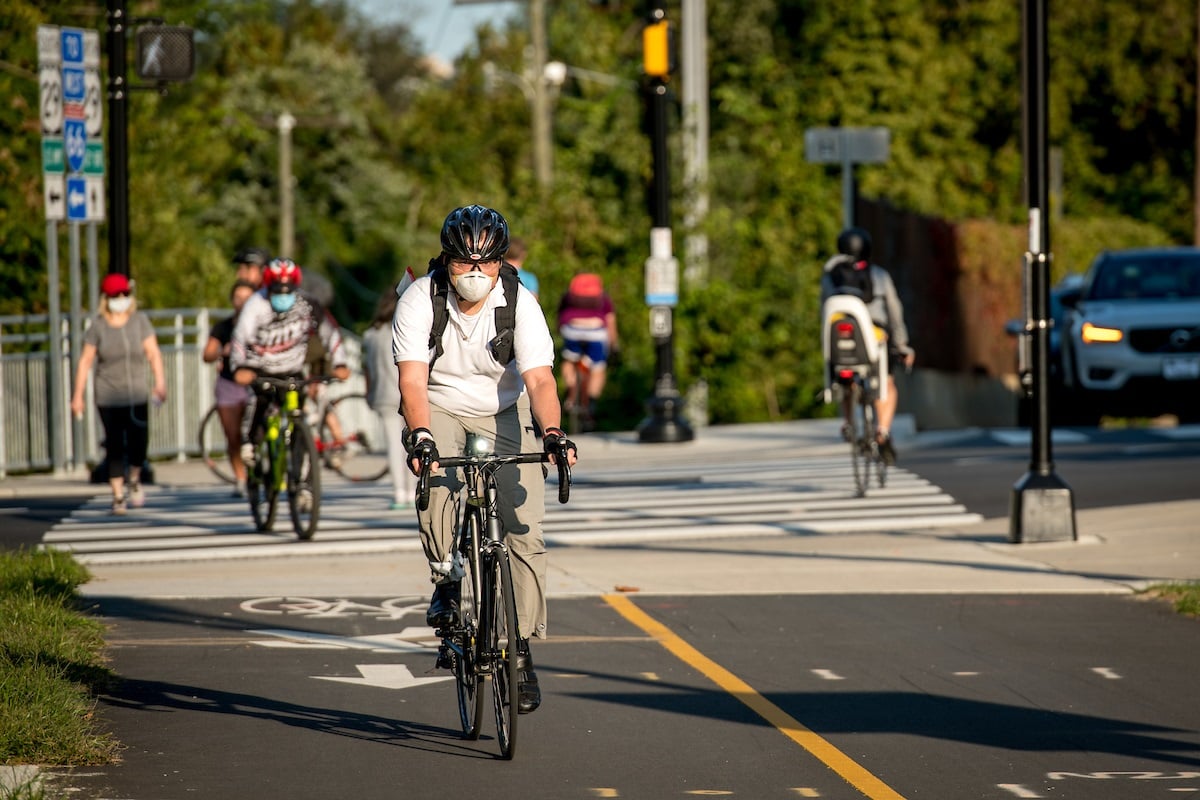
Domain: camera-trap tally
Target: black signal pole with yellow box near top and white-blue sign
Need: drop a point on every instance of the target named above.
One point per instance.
(665, 423)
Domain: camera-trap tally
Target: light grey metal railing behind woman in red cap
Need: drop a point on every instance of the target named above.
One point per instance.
(26, 408)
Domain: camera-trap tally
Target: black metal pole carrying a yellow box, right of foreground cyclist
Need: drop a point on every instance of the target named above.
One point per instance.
(665, 423)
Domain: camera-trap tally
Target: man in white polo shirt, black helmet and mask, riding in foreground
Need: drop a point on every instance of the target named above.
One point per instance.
(465, 388)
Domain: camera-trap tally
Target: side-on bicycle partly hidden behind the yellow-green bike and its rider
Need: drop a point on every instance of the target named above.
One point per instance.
(359, 455)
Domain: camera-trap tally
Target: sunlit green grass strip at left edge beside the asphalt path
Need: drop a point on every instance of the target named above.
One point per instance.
(52, 664)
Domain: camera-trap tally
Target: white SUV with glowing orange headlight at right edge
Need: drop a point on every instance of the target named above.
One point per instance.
(1133, 338)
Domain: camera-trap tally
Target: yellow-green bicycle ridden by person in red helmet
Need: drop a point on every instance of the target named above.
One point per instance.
(285, 458)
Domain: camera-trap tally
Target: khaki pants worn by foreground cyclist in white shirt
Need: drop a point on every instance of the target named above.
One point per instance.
(523, 490)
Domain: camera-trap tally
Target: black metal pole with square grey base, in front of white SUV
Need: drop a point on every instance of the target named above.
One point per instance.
(1042, 508)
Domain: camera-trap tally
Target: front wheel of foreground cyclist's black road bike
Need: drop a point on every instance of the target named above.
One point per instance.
(503, 643)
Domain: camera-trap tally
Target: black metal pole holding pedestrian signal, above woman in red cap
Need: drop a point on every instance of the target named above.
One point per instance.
(118, 141)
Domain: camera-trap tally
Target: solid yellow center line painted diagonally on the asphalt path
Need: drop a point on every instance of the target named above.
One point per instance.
(839, 762)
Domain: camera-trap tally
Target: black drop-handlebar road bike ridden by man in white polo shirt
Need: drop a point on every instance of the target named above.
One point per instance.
(483, 642)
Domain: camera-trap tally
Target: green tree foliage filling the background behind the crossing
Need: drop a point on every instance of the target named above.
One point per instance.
(386, 146)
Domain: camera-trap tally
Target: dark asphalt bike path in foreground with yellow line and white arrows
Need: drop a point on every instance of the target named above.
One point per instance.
(922, 696)
